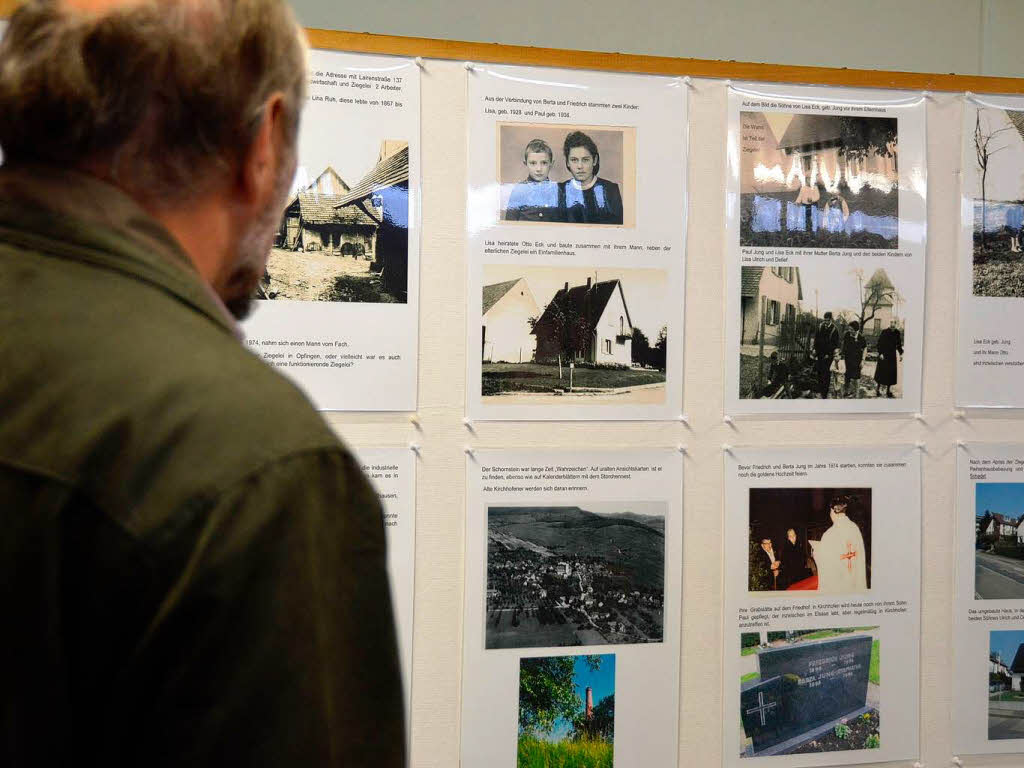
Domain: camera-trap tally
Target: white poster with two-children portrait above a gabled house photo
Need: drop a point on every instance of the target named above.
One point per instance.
(577, 229)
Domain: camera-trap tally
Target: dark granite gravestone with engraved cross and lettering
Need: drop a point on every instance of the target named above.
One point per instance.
(803, 688)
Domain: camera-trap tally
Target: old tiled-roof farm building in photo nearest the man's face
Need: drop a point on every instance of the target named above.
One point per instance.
(313, 222)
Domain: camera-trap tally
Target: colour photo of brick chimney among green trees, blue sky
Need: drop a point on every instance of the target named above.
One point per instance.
(567, 712)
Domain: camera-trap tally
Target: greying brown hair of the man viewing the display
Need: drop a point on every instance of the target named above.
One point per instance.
(162, 98)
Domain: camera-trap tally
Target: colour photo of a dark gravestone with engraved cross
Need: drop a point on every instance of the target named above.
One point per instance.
(809, 691)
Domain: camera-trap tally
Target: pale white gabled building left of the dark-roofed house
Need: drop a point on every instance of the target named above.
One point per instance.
(506, 334)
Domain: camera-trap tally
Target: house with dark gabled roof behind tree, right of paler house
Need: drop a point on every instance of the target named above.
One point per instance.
(587, 324)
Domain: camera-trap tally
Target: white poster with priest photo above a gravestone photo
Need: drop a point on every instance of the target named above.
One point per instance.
(823, 612)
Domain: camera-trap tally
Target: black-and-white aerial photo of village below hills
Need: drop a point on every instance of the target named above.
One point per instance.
(568, 576)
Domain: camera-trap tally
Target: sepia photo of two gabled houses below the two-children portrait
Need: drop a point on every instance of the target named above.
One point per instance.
(559, 335)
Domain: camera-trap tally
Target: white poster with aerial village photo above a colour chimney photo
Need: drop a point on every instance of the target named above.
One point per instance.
(574, 571)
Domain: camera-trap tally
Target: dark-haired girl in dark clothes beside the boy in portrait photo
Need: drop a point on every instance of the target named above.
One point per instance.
(587, 199)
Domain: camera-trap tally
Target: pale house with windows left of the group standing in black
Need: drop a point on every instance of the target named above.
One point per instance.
(775, 292)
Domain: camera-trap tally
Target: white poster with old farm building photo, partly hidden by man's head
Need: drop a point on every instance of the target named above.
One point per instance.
(339, 302)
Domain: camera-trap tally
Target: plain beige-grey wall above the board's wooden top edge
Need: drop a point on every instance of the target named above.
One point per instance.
(967, 37)
